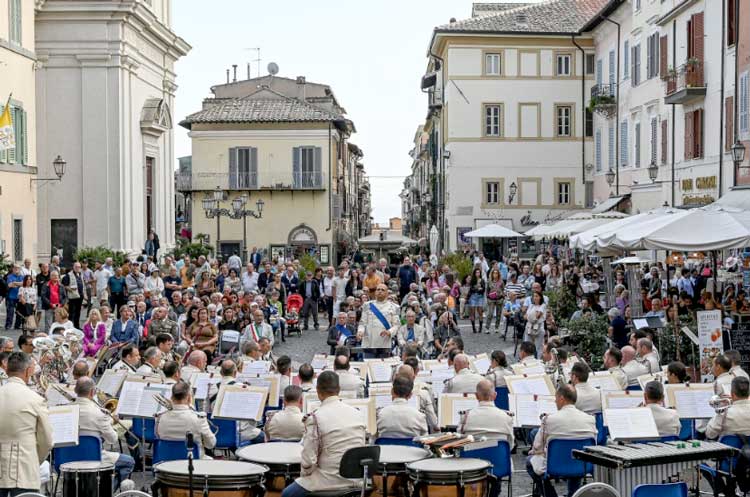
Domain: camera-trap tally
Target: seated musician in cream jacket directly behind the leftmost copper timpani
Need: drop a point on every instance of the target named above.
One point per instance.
(175, 423)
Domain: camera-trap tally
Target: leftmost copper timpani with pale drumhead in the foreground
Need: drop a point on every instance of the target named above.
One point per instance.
(217, 478)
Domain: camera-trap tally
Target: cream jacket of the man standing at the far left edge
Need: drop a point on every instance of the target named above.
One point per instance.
(25, 435)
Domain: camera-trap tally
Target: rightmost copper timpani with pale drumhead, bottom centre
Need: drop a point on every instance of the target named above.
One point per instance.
(434, 477)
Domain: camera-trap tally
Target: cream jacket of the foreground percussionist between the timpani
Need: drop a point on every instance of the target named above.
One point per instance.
(330, 431)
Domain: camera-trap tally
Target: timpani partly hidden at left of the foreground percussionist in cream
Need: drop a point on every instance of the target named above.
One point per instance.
(283, 460)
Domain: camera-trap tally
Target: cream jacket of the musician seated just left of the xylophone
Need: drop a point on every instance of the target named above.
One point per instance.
(567, 423)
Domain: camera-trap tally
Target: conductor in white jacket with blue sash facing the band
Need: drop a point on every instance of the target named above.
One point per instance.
(371, 332)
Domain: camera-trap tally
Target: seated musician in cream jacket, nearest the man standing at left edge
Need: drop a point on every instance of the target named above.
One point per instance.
(93, 421)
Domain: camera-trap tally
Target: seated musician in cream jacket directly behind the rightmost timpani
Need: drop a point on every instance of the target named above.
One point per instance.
(486, 420)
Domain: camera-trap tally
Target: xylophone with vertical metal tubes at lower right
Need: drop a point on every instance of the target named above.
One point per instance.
(628, 465)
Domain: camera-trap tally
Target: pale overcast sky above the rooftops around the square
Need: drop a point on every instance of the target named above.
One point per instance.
(372, 54)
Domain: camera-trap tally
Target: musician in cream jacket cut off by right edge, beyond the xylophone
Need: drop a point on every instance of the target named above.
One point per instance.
(735, 420)
